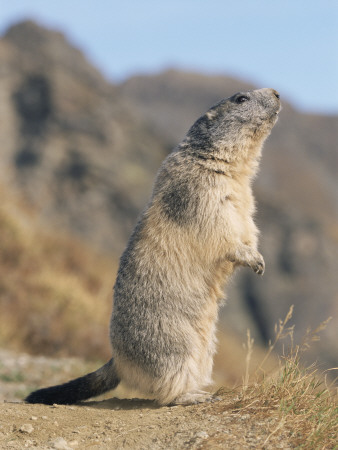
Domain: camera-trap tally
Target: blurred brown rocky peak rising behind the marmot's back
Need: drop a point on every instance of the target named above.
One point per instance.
(68, 143)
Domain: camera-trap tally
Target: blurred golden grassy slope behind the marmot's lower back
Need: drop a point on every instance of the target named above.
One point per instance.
(55, 294)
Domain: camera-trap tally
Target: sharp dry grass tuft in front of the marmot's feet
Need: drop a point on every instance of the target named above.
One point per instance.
(301, 398)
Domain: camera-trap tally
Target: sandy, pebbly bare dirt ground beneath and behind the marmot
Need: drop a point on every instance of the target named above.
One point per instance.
(114, 423)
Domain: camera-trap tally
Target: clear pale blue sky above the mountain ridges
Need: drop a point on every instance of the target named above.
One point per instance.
(291, 45)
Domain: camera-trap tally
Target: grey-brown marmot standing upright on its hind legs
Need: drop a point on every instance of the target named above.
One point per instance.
(197, 228)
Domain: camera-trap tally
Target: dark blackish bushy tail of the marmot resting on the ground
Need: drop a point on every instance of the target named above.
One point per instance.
(95, 383)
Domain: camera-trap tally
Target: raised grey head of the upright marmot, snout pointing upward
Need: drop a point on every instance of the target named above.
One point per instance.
(236, 124)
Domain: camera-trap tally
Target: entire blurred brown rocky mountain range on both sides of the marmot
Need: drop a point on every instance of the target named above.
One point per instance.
(84, 153)
